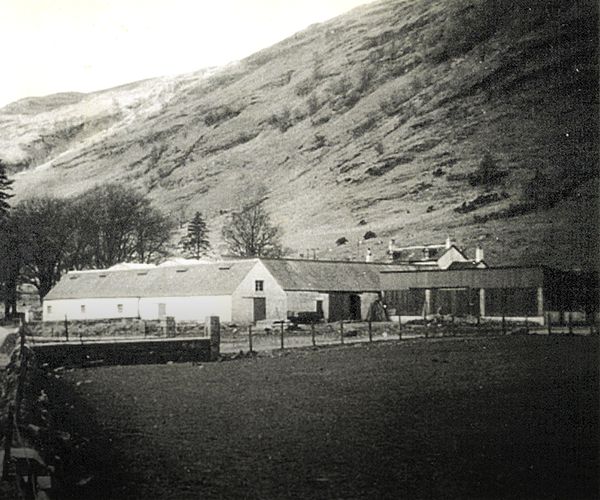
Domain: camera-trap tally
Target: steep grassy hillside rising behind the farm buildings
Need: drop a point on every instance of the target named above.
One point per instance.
(377, 120)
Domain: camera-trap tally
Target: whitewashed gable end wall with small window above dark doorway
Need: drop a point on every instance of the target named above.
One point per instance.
(242, 299)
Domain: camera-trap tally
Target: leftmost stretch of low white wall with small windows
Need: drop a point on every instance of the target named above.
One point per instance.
(56, 310)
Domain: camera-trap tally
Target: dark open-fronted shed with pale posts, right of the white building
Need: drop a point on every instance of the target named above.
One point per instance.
(512, 292)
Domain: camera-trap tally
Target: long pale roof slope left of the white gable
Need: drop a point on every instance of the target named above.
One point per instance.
(220, 278)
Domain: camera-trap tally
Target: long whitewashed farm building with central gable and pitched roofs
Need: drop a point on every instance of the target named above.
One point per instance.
(240, 291)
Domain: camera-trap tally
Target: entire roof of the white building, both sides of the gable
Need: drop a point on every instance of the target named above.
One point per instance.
(219, 278)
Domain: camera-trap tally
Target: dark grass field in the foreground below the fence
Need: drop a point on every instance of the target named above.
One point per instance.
(505, 417)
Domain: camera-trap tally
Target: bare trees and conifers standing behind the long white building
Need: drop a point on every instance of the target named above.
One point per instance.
(43, 237)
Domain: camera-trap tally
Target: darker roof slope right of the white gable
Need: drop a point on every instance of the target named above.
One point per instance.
(326, 276)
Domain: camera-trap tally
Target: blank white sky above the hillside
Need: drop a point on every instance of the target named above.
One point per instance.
(49, 46)
